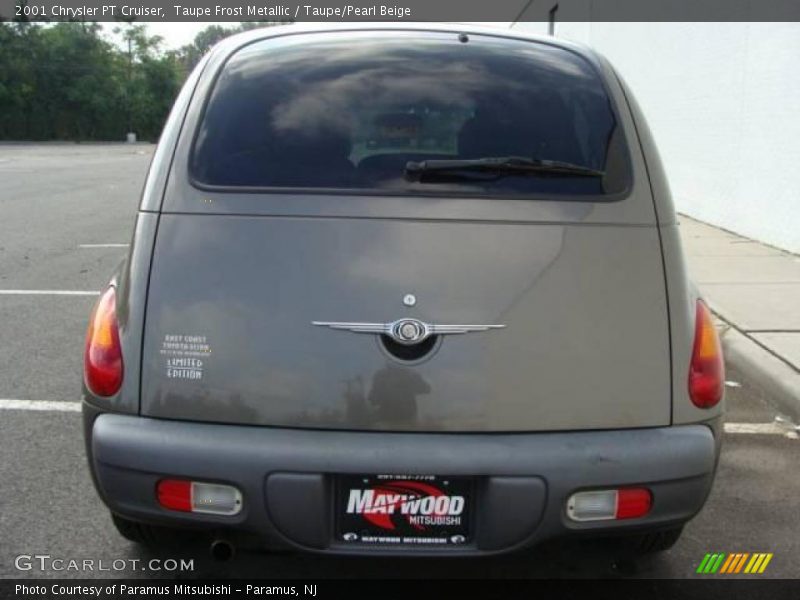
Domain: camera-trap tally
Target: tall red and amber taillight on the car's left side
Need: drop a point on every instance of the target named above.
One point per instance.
(102, 359)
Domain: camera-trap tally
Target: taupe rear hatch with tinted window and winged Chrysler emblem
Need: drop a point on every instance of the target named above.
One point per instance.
(292, 207)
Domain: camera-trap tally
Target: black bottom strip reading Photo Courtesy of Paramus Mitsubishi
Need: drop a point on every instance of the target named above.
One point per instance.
(382, 589)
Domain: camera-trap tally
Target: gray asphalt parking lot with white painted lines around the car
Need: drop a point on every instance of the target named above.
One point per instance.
(66, 212)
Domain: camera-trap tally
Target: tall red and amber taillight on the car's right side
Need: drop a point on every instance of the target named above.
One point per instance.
(706, 371)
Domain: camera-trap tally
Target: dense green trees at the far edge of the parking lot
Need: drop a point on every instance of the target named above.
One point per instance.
(65, 81)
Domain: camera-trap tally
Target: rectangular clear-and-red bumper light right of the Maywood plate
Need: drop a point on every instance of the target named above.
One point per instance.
(603, 505)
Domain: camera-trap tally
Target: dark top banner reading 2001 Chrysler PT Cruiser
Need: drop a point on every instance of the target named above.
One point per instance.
(400, 10)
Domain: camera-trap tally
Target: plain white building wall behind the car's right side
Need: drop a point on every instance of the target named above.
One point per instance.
(723, 101)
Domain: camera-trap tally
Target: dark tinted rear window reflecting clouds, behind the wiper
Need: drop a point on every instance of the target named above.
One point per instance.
(349, 111)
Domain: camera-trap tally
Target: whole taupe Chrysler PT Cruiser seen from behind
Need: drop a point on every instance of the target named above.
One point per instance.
(410, 289)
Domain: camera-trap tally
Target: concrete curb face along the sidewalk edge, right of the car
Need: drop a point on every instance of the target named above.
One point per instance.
(781, 381)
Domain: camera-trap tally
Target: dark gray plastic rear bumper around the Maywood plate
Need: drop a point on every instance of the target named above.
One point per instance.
(286, 476)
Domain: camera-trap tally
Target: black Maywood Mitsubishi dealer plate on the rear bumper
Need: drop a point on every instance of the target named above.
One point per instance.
(423, 510)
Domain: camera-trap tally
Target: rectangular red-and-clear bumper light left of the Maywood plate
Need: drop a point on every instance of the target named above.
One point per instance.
(199, 497)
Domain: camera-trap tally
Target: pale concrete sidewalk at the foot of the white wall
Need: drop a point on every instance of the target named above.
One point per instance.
(755, 290)
